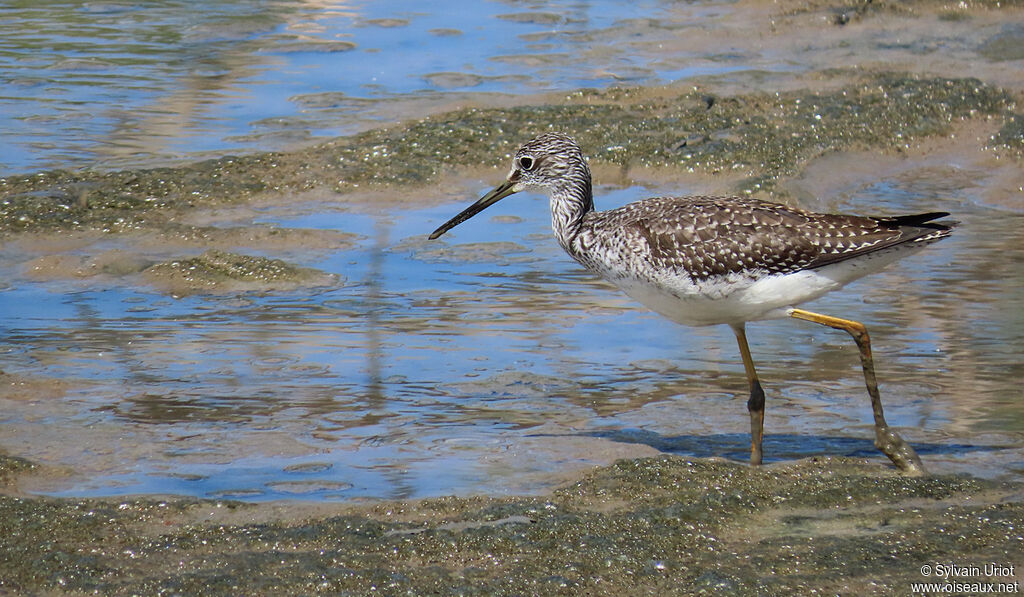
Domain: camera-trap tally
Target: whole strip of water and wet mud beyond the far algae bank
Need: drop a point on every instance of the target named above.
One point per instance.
(121, 84)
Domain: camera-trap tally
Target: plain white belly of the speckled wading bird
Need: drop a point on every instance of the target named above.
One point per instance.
(729, 300)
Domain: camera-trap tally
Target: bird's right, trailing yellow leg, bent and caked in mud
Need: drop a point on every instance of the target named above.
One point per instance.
(886, 440)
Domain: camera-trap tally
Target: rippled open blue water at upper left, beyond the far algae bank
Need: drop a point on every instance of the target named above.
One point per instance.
(115, 84)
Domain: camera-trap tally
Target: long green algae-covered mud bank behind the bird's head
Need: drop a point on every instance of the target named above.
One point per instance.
(755, 139)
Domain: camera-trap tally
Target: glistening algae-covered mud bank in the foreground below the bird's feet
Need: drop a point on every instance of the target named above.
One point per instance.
(663, 525)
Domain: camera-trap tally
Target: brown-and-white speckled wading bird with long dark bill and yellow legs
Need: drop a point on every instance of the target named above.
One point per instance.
(708, 261)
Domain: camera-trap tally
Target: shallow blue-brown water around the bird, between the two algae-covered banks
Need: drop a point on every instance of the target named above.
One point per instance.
(491, 363)
